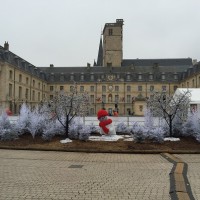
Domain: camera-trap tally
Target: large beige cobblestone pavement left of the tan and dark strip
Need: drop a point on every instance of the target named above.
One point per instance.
(63, 175)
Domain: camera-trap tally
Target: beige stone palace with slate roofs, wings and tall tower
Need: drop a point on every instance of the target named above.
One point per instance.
(113, 83)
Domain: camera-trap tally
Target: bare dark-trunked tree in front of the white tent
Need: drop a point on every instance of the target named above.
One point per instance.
(169, 107)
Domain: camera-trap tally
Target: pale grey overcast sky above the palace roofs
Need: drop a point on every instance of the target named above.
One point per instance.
(67, 32)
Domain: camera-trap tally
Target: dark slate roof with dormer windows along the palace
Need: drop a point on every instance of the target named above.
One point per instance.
(133, 70)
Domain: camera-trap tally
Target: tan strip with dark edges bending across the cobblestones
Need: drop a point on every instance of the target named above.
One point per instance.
(179, 185)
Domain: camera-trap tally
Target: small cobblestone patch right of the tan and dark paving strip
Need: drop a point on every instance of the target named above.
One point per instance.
(193, 174)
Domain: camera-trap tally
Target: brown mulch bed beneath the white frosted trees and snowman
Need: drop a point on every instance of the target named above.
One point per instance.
(27, 142)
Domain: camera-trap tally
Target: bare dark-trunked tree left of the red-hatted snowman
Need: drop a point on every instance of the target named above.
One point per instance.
(66, 105)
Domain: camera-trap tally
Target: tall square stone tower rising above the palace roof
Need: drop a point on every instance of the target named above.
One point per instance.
(113, 43)
